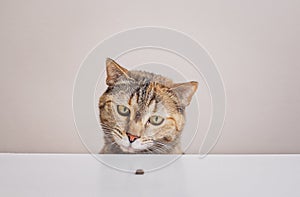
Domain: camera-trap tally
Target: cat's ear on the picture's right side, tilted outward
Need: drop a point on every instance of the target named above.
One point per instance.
(185, 91)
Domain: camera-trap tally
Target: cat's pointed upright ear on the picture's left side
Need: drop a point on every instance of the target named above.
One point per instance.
(114, 71)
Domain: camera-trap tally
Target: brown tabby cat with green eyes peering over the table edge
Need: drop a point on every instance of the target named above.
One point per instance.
(142, 112)
